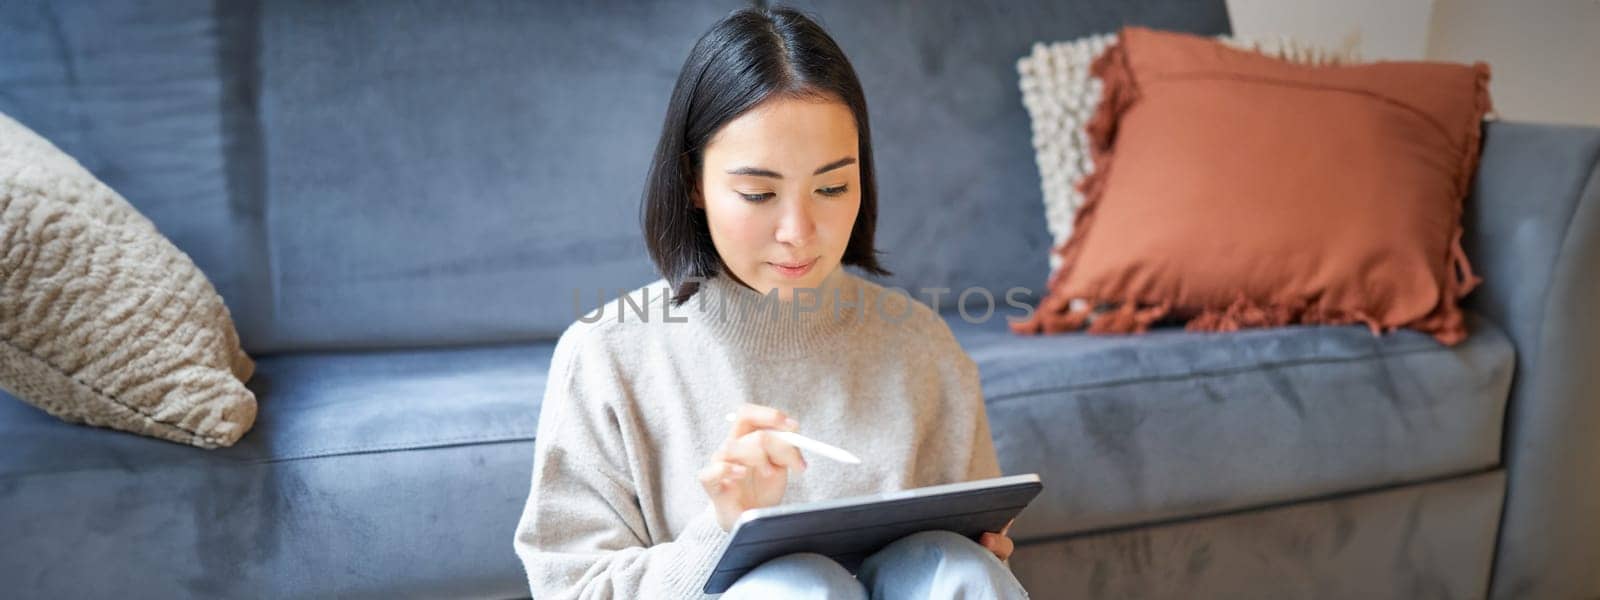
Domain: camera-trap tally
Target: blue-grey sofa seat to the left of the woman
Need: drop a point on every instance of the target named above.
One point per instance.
(358, 465)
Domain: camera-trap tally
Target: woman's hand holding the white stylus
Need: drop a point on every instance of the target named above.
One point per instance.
(751, 470)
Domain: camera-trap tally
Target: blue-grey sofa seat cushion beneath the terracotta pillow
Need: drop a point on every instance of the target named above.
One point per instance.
(1170, 425)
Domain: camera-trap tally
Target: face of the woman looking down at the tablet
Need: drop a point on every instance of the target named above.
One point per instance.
(782, 188)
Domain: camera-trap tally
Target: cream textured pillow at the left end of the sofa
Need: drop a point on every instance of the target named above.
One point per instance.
(102, 319)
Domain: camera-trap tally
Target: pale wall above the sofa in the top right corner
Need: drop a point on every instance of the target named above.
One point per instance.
(1545, 55)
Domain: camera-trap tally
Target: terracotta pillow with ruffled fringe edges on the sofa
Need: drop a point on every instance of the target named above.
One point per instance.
(1233, 190)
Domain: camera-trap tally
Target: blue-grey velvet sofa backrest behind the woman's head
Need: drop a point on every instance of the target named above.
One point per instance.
(417, 174)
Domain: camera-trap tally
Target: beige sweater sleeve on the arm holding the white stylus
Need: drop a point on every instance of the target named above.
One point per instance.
(583, 534)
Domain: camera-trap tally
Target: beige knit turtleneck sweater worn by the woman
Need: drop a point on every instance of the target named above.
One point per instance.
(634, 409)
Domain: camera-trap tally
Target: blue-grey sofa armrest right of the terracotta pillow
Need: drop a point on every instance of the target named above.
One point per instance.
(1534, 234)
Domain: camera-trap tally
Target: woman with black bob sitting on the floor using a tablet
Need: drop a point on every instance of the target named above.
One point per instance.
(762, 190)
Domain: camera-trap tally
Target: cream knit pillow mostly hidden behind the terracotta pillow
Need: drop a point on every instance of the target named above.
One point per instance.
(1060, 97)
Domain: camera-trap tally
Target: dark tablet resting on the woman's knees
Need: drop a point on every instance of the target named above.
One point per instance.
(849, 530)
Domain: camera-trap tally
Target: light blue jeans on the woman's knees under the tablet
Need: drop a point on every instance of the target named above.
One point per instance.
(922, 566)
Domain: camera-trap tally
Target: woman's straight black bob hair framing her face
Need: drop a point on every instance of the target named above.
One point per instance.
(746, 58)
